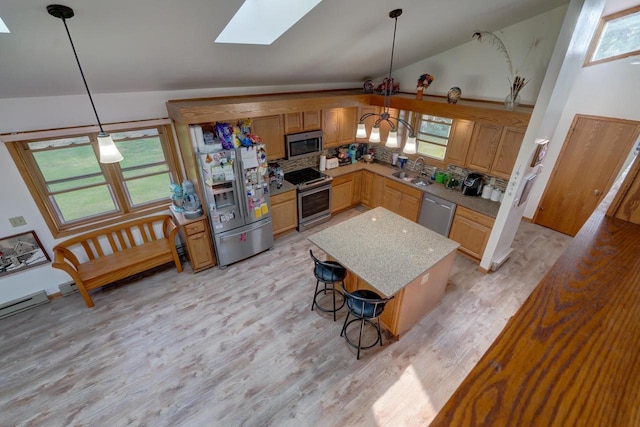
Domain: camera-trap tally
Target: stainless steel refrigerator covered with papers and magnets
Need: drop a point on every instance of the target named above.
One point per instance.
(236, 191)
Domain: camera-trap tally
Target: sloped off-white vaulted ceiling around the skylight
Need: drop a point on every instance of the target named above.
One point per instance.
(157, 45)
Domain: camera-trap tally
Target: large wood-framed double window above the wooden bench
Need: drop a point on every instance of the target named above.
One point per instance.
(75, 192)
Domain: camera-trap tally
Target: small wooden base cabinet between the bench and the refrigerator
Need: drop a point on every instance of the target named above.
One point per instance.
(196, 235)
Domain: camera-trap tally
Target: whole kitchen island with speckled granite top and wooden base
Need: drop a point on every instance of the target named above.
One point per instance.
(393, 256)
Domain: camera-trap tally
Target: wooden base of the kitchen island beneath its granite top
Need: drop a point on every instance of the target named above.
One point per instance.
(412, 302)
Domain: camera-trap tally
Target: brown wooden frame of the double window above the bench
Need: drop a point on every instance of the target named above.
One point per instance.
(125, 210)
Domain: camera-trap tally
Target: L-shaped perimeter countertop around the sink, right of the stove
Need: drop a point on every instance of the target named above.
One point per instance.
(478, 204)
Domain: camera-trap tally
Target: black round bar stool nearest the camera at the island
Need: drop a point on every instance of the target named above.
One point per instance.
(366, 306)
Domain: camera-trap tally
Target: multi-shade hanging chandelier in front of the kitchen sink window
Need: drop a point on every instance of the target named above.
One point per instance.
(385, 117)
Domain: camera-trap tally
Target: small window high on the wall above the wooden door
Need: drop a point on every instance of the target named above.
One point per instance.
(617, 36)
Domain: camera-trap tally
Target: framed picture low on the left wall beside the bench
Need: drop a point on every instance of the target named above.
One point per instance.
(21, 251)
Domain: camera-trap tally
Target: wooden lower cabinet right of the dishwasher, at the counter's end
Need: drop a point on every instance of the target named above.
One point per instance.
(472, 230)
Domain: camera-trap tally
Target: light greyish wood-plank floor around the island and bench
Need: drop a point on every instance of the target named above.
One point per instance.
(241, 347)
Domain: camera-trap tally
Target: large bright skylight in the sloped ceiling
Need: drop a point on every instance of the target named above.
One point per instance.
(263, 21)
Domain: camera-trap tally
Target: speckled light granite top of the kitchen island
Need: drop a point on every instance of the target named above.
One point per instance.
(384, 249)
